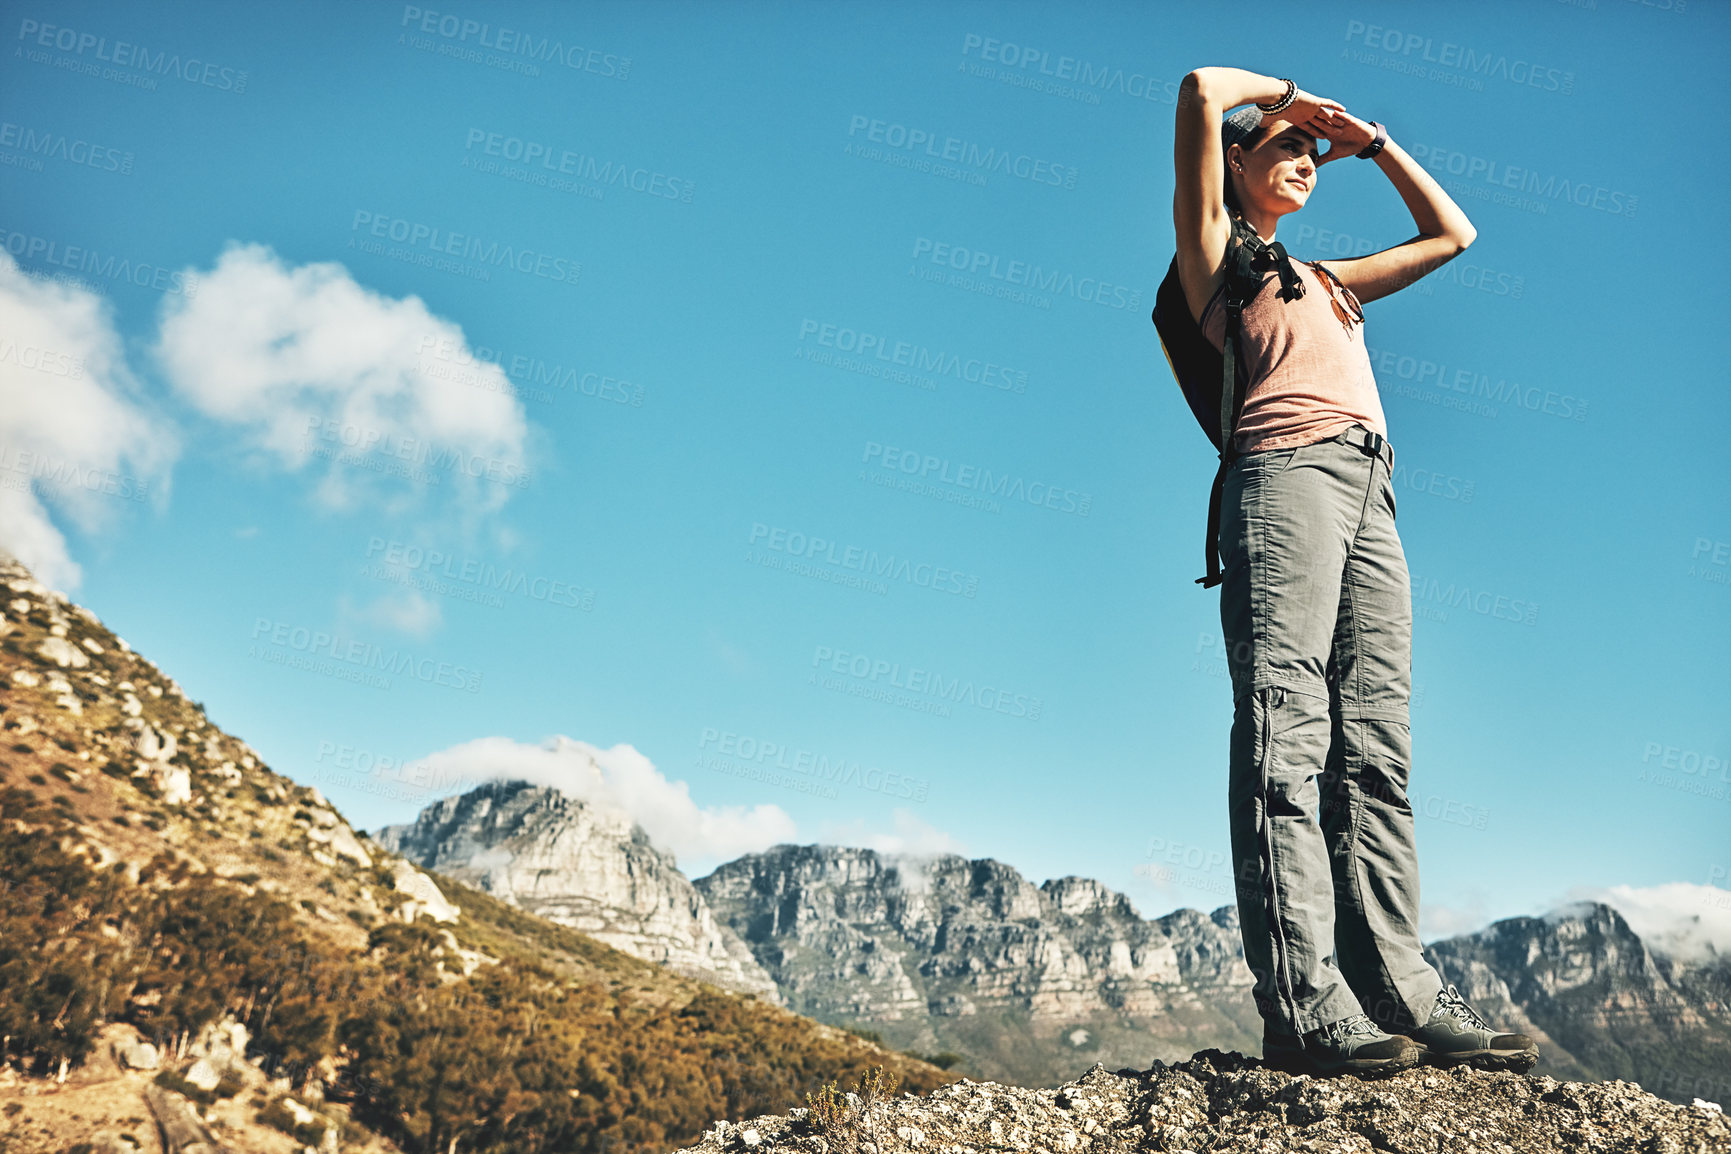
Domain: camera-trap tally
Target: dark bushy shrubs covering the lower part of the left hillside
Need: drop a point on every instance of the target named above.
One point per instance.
(536, 1055)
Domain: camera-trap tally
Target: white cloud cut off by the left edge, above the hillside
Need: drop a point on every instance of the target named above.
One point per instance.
(75, 433)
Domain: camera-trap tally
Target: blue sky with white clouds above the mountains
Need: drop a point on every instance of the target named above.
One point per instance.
(579, 362)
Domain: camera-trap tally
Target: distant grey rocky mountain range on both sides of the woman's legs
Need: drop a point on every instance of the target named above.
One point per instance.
(1031, 984)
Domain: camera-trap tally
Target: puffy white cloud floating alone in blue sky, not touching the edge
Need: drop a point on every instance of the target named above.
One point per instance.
(373, 394)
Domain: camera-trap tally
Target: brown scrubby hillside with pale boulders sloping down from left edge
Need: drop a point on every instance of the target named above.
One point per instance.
(172, 911)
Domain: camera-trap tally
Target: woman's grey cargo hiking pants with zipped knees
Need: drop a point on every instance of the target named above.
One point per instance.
(1316, 612)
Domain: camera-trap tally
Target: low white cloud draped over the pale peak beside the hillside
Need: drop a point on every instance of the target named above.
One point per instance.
(626, 781)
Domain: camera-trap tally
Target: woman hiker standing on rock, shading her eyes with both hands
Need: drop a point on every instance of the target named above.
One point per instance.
(1315, 599)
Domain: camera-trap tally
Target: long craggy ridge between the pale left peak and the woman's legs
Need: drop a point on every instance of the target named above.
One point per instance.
(967, 956)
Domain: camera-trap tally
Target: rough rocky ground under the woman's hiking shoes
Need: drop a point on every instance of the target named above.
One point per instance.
(1230, 1103)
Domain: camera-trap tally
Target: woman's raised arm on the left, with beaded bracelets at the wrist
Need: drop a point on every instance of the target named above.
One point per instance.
(1199, 198)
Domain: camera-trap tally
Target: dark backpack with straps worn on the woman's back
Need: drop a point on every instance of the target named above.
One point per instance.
(1214, 383)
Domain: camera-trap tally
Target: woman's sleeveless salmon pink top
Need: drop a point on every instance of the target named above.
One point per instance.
(1310, 373)
